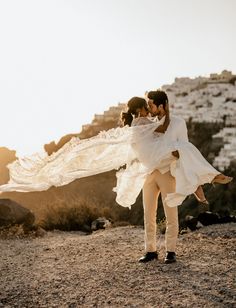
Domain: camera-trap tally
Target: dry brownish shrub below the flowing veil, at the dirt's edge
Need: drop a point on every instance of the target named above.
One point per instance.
(78, 215)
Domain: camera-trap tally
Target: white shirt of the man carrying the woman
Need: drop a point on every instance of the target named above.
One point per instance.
(176, 131)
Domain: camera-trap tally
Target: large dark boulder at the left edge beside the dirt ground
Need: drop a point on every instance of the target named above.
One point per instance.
(12, 213)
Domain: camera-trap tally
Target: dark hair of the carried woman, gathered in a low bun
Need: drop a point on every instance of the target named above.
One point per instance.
(133, 104)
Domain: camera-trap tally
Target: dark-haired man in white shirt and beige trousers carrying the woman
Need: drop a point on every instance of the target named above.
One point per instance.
(162, 181)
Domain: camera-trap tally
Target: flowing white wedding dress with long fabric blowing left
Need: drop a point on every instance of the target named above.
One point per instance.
(137, 149)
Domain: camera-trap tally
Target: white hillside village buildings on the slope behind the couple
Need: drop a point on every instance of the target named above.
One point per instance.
(202, 99)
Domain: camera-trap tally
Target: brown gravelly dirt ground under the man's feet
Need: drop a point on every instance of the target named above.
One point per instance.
(70, 269)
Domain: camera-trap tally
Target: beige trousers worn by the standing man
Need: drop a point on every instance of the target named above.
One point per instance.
(155, 184)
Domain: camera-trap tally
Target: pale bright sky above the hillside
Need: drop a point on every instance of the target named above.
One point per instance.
(61, 62)
